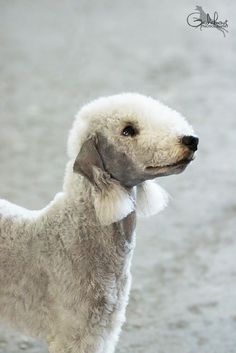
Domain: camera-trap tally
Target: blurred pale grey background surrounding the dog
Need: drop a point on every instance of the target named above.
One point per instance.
(55, 56)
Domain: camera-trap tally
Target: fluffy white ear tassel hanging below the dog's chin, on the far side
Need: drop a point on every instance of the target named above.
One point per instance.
(151, 198)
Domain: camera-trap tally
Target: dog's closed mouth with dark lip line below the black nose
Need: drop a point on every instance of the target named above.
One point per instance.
(170, 168)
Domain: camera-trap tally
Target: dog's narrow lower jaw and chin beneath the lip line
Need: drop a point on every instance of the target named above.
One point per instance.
(174, 168)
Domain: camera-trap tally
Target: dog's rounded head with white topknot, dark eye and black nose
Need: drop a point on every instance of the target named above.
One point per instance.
(124, 140)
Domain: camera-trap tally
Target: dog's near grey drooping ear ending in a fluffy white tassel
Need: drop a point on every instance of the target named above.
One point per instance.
(112, 202)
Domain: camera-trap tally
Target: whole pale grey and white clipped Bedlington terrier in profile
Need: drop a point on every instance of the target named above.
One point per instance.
(65, 270)
